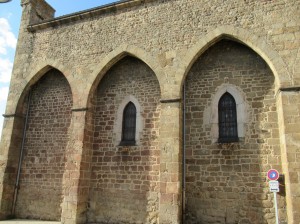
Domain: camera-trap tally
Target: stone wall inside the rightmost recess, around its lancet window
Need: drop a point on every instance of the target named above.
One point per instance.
(226, 182)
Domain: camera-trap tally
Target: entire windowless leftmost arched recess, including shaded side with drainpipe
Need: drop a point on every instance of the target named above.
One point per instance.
(45, 107)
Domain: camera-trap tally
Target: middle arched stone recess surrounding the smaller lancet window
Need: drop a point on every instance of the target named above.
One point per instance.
(124, 179)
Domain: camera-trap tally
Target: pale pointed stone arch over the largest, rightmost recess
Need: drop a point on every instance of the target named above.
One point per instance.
(270, 56)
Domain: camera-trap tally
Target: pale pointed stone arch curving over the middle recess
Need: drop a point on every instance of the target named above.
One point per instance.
(116, 55)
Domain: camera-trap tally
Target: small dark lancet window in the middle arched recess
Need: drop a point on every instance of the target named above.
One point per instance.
(129, 125)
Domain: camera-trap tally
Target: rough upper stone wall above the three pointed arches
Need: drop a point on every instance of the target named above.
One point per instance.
(165, 29)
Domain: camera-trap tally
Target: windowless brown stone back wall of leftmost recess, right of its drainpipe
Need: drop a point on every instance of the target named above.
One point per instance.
(40, 191)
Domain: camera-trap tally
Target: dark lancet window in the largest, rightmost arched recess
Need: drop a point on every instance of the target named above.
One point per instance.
(227, 119)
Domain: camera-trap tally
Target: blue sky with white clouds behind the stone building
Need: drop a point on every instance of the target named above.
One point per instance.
(10, 16)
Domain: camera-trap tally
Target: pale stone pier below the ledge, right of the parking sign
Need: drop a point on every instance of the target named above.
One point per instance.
(289, 112)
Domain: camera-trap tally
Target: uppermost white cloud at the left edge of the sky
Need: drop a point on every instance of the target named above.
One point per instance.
(7, 38)
